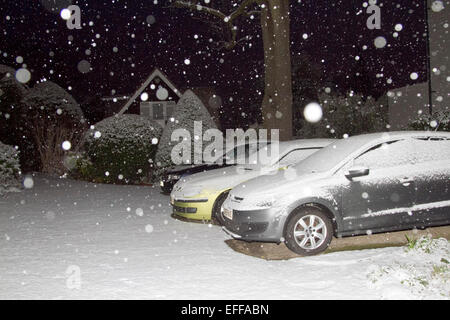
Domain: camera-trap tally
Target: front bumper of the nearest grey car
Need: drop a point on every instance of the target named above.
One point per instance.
(266, 225)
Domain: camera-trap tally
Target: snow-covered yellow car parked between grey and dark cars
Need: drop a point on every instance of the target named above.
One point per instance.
(200, 196)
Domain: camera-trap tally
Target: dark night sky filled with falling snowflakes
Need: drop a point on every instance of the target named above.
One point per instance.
(125, 40)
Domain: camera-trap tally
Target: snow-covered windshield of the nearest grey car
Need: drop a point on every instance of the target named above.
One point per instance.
(330, 156)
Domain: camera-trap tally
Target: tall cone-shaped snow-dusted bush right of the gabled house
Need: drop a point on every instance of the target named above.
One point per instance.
(189, 109)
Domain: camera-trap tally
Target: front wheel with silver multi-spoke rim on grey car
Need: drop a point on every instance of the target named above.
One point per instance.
(308, 232)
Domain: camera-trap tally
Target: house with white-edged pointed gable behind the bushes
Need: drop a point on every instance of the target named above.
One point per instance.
(157, 98)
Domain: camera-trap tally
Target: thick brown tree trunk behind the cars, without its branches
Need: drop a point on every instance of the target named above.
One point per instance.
(277, 101)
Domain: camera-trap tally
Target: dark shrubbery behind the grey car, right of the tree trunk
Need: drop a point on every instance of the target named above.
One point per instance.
(350, 114)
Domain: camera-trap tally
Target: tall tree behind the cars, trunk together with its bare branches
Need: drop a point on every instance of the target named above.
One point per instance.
(275, 26)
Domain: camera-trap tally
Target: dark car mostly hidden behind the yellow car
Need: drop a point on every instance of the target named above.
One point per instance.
(172, 175)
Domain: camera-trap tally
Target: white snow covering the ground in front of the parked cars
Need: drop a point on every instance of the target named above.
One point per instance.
(65, 239)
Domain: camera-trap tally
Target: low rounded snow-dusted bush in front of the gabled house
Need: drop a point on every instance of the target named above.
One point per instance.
(119, 149)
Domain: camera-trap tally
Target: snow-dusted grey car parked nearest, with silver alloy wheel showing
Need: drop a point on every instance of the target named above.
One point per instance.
(361, 185)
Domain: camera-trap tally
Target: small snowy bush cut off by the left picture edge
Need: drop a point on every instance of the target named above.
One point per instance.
(9, 168)
